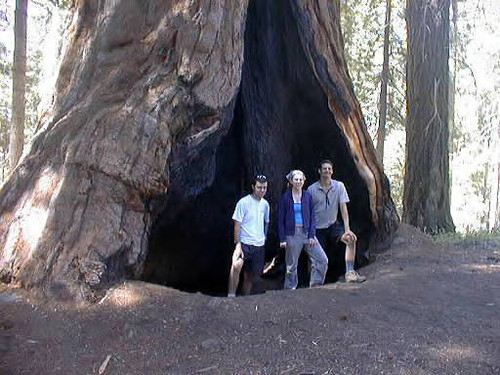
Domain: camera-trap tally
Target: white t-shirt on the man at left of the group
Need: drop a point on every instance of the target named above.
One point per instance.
(252, 214)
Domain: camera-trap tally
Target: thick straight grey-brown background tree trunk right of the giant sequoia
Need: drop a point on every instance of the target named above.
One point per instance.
(426, 198)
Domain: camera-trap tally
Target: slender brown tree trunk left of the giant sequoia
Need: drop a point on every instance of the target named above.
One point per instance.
(18, 84)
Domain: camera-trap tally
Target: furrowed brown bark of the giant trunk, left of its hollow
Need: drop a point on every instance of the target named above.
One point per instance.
(140, 83)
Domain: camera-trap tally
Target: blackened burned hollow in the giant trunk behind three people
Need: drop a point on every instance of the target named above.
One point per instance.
(281, 120)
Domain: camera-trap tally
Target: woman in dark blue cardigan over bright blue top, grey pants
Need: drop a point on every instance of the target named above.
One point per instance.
(297, 230)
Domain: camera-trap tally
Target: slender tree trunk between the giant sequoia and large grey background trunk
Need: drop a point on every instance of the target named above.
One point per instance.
(383, 85)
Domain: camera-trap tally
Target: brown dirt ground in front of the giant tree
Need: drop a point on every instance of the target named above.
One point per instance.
(426, 308)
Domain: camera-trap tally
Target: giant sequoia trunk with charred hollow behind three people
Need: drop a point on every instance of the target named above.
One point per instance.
(164, 110)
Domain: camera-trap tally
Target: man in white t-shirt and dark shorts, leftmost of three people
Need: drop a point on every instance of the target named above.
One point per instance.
(251, 220)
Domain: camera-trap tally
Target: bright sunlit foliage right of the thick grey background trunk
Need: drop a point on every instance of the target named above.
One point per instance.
(475, 136)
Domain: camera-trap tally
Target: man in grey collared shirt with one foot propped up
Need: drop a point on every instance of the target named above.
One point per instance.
(328, 196)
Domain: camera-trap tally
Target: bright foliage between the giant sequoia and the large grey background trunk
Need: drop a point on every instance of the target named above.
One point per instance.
(363, 25)
